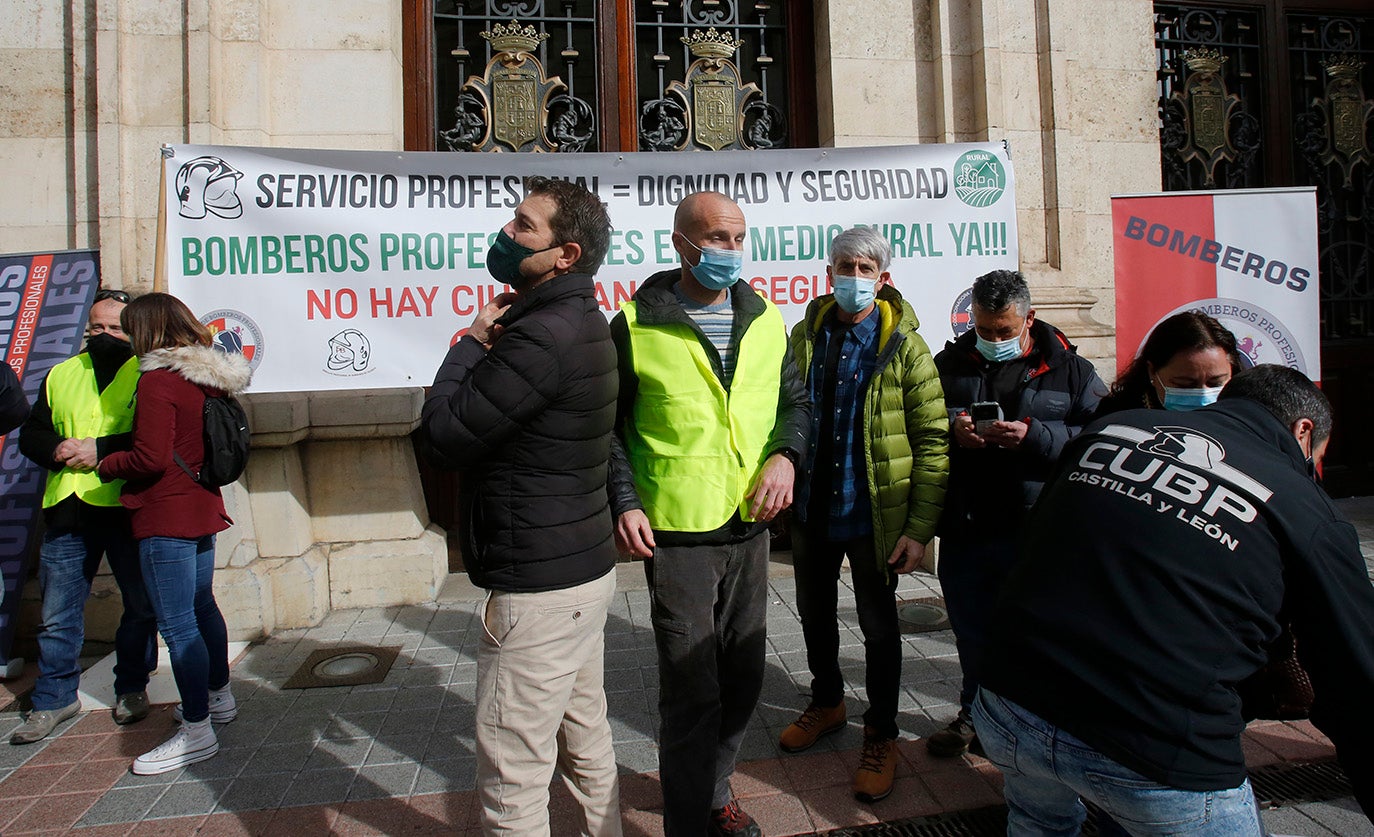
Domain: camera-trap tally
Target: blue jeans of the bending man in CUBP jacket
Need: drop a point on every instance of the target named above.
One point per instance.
(1048, 773)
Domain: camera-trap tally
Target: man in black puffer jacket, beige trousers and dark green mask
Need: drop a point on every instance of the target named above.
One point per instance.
(524, 408)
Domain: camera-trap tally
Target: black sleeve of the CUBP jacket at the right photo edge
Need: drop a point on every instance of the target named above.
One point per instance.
(1332, 607)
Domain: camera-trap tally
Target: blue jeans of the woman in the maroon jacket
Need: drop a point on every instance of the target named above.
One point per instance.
(181, 575)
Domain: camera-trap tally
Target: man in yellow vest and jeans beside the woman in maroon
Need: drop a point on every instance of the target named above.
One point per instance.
(86, 410)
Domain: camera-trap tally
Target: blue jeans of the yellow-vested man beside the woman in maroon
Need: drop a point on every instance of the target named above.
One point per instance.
(68, 563)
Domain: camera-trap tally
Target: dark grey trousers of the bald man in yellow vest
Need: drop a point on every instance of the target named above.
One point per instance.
(710, 612)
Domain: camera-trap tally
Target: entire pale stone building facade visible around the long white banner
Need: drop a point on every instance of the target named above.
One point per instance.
(330, 513)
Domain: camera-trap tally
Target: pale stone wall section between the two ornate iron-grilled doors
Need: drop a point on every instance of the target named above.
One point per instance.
(1070, 85)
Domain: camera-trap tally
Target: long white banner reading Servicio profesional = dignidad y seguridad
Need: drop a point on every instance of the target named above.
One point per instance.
(358, 270)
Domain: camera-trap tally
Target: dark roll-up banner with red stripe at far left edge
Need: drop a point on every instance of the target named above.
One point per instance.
(45, 302)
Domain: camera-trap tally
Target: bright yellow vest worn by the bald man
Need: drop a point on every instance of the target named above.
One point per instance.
(693, 446)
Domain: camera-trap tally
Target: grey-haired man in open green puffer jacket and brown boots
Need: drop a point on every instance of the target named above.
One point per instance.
(877, 465)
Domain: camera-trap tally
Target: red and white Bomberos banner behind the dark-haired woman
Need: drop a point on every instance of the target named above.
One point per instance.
(1248, 258)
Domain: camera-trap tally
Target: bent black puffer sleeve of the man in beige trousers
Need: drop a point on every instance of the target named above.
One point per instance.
(483, 399)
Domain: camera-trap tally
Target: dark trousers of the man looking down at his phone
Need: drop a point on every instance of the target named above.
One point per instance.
(971, 578)
